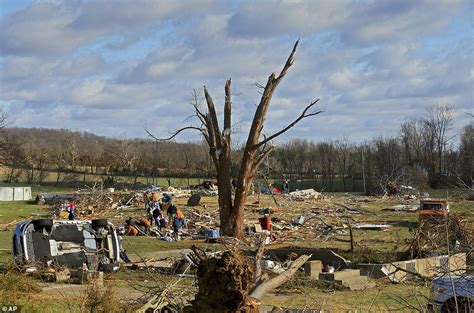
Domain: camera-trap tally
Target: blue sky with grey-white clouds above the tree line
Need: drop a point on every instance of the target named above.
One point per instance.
(117, 67)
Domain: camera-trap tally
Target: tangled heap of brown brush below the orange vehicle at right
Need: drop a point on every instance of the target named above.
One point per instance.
(442, 235)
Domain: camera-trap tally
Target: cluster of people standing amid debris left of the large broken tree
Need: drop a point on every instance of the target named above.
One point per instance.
(155, 207)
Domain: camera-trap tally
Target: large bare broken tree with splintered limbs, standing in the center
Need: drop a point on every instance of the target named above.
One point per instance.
(255, 151)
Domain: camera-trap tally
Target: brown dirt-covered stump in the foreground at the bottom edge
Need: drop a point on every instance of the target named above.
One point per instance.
(224, 284)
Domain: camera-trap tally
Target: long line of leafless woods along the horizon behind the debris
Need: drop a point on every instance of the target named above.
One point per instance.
(423, 154)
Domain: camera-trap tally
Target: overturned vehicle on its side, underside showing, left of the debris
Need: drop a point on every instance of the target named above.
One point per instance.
(64, 243)
